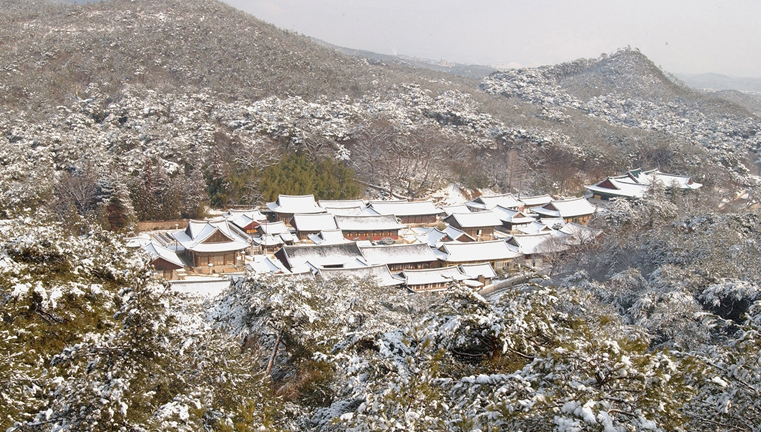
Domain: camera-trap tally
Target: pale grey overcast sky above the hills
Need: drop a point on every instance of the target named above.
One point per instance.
(681, 36)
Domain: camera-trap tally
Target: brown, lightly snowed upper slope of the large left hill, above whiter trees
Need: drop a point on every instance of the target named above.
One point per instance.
(169, 46)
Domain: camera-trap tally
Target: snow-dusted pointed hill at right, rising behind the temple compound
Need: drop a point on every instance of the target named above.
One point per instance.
(626, 91)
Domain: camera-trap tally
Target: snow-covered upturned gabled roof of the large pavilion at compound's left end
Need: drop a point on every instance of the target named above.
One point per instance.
(195, 235)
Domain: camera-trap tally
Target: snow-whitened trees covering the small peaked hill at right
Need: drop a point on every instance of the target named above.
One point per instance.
(644, 100)
